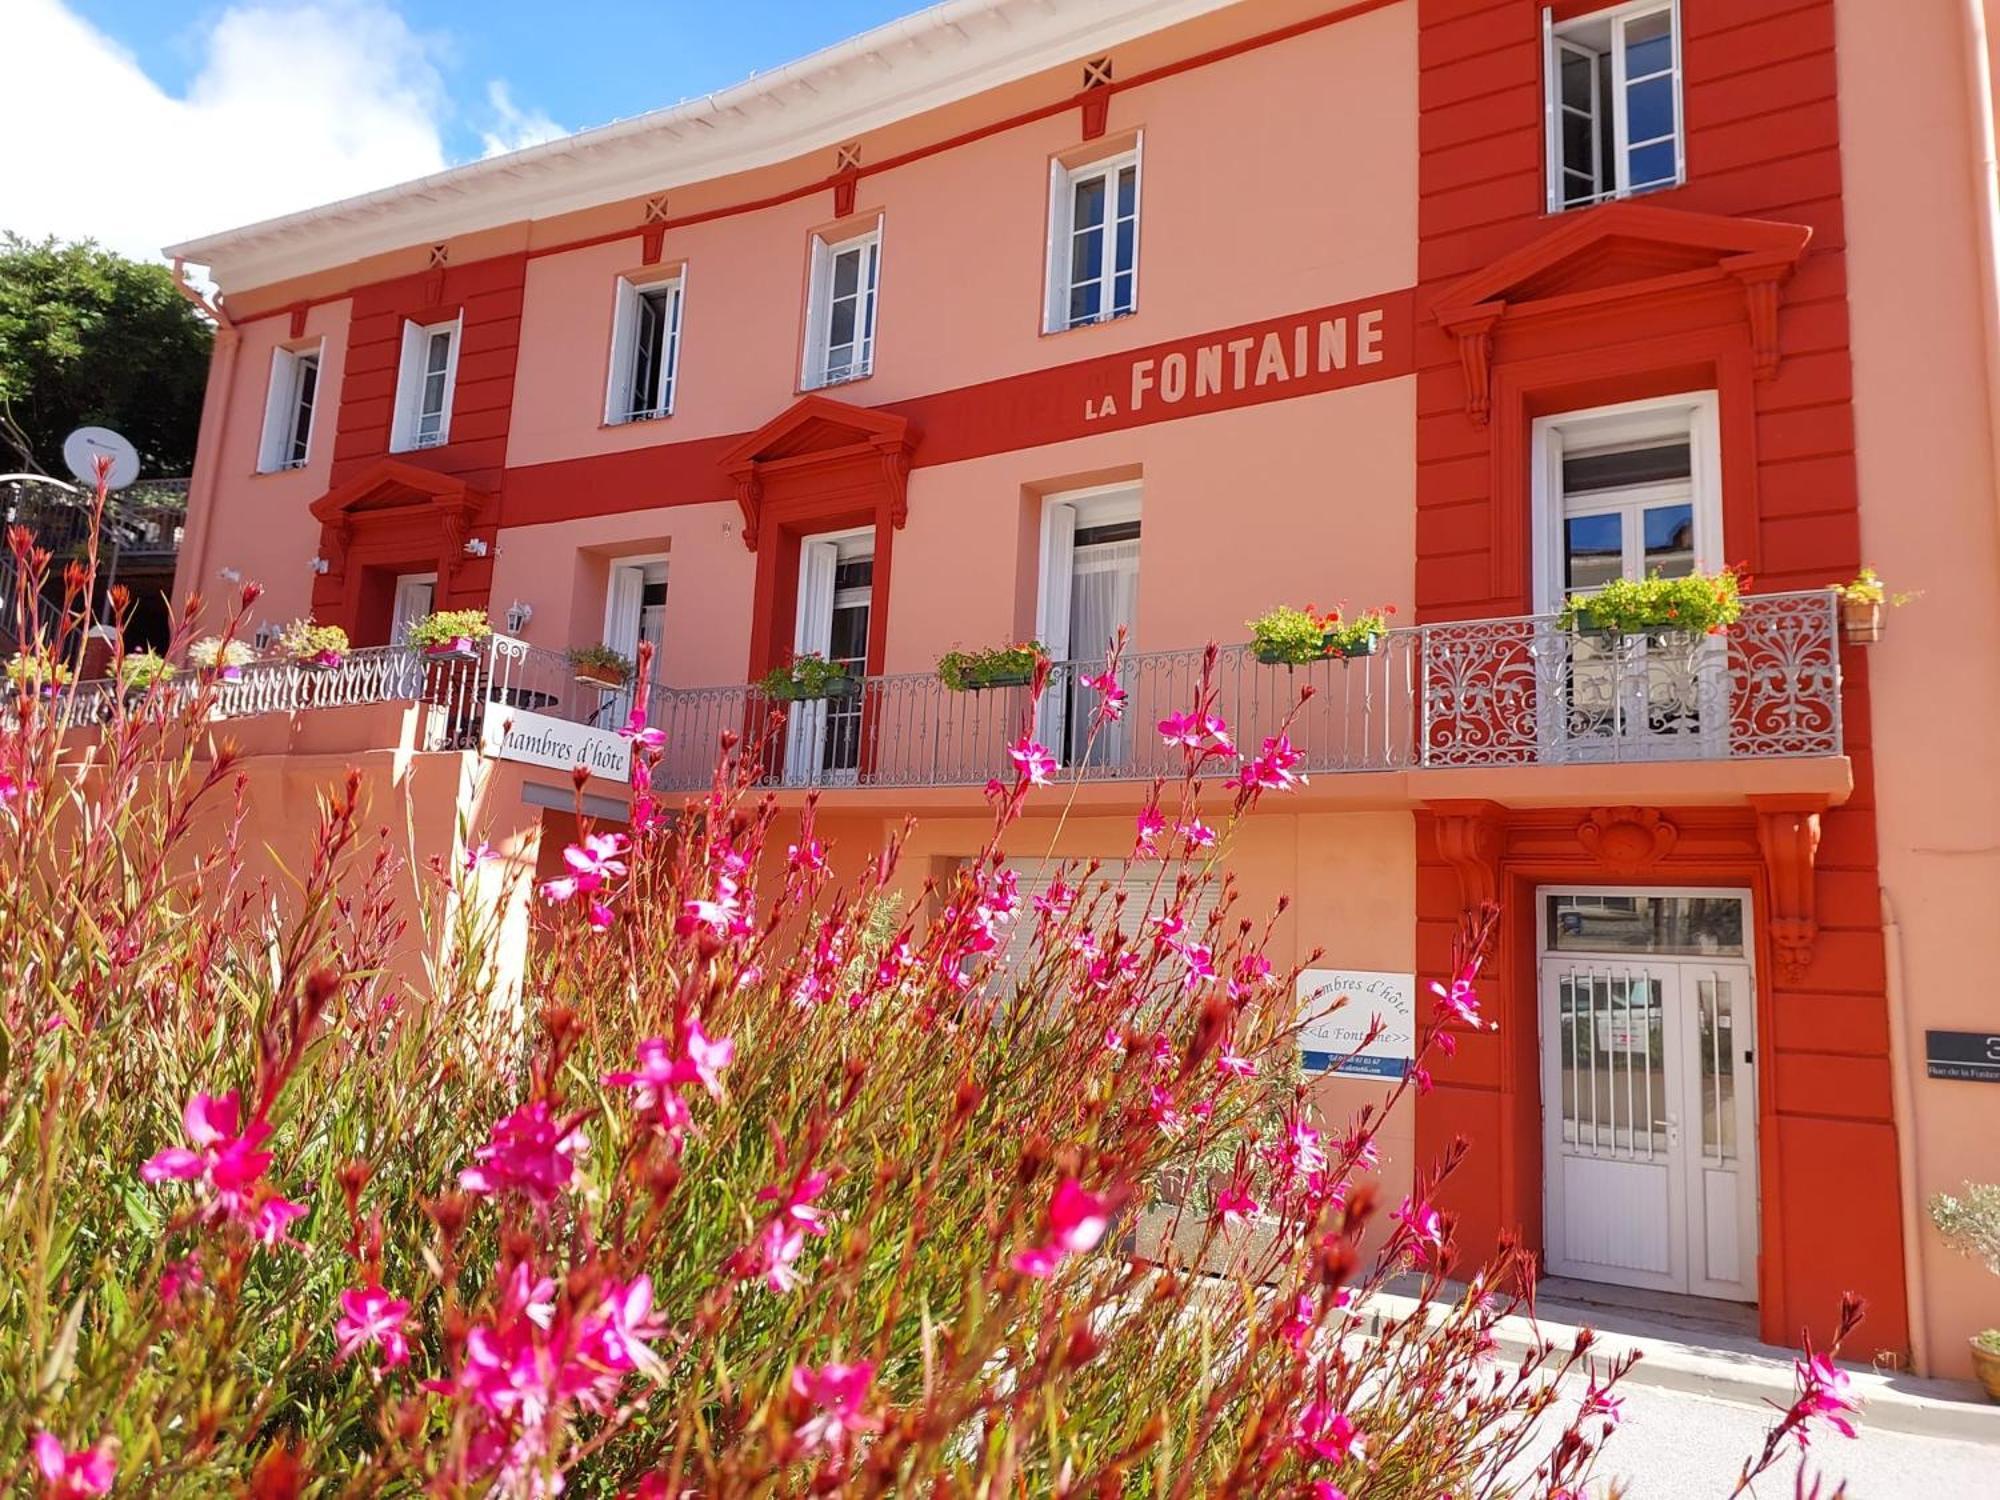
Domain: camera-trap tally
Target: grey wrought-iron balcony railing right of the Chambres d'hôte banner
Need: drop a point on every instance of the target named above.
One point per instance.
(1477, 693)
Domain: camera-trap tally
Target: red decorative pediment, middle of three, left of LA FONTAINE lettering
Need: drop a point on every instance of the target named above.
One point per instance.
(813, 441)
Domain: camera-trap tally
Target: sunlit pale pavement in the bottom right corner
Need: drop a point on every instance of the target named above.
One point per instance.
(1679, 1447)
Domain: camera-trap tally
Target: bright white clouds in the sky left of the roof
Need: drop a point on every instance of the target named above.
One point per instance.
(295, 103)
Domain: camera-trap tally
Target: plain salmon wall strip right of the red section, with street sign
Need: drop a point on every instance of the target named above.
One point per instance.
(1923, 409)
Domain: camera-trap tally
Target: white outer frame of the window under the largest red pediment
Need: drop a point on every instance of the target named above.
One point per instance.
(1615, 425)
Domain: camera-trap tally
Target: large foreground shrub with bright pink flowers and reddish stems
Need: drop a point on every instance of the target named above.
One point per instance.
(761, 1185)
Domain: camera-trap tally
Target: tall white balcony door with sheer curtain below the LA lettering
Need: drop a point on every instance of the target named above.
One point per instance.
(1089, 593)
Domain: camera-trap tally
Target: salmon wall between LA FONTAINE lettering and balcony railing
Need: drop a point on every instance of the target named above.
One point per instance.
(1333, 503)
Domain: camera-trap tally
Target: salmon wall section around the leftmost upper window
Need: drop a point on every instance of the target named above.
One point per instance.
(259, 523)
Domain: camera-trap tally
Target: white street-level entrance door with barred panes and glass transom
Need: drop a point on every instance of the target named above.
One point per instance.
(1649, 1095)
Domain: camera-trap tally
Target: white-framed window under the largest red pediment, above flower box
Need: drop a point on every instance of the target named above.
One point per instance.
(1627, 493)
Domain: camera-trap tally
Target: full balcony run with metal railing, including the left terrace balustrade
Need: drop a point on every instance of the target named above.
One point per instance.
(1461, 697)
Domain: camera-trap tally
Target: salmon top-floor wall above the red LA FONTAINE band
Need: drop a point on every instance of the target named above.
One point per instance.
(1247, 213)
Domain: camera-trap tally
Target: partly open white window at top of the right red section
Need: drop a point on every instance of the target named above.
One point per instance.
(1613, 107)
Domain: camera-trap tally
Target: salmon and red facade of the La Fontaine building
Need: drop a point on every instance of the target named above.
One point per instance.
(1053, 321)
